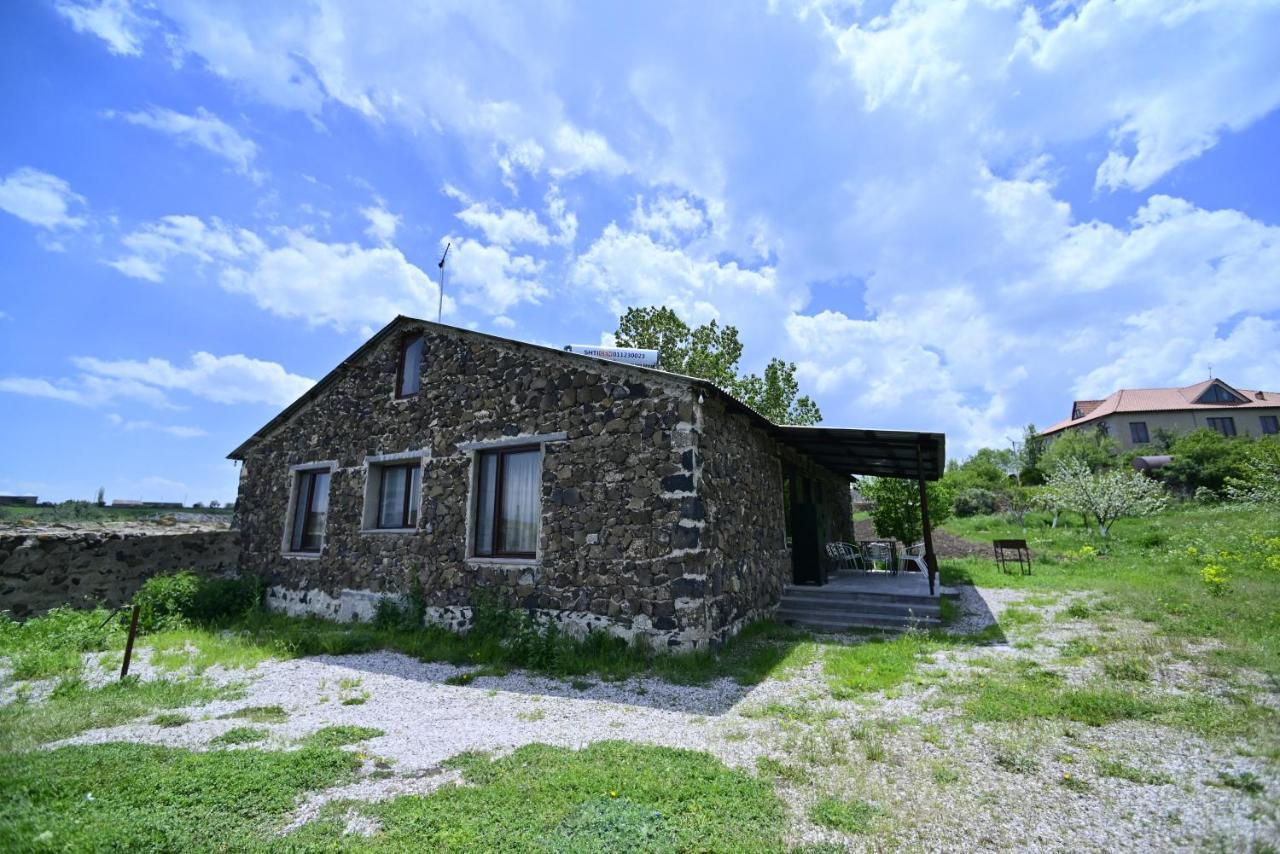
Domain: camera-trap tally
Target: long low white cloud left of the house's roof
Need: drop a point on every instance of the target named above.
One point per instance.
(222, 380)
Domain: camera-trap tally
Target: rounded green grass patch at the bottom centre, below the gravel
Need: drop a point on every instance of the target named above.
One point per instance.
(609, 797)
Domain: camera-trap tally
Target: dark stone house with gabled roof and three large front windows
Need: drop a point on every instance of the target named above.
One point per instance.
(593, 494)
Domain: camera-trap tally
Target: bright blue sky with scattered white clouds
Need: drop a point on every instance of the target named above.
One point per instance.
(952, 216)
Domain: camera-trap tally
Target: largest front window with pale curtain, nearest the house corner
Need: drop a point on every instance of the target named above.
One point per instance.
(509, 503)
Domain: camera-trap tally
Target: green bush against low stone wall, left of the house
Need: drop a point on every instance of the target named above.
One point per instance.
(182, 599)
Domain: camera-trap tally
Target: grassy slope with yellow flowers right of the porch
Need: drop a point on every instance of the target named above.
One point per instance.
(1150, 569)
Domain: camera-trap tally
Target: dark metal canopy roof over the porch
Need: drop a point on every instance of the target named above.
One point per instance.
(884, 454)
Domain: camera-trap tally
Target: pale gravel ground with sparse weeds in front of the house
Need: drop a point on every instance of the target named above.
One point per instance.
(939, 780)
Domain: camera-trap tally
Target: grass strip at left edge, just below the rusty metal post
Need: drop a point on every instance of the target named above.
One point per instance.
(75, 709)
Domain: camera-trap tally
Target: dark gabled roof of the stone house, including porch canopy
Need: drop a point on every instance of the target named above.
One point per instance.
(890, 454)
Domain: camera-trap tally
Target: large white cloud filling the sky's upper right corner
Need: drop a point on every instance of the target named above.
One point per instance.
(1163, 80)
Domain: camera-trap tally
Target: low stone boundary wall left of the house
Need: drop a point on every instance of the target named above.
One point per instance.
(86, 569)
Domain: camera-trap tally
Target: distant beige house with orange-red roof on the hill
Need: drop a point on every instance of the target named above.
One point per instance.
(1133, 415)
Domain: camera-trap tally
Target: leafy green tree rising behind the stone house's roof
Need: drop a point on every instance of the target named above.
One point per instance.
(712, 353)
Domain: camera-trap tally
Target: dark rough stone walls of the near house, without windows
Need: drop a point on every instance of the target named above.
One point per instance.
(624, 538)
